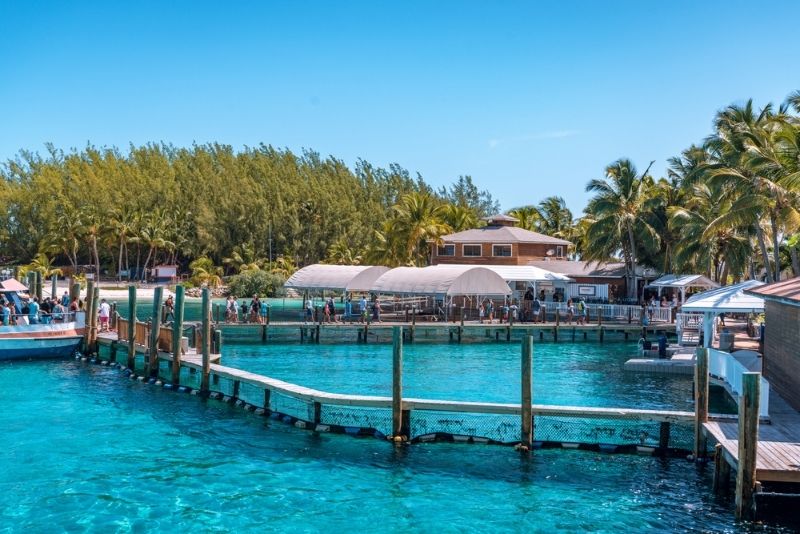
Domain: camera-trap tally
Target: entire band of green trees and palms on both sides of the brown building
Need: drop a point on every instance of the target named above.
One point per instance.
(729, 208)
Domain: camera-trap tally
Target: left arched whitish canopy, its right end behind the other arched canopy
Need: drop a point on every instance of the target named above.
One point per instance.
(335, 277)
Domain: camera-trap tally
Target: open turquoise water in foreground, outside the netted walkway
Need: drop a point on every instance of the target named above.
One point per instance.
(85, 450)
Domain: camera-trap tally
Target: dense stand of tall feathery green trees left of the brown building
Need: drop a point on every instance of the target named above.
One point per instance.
(259, 208)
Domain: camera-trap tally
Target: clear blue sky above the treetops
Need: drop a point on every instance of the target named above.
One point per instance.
(531, 99)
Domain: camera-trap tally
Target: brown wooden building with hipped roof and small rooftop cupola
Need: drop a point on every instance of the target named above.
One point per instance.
(500, 242)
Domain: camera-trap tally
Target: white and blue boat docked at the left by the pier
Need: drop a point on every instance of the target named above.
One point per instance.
(55, 336)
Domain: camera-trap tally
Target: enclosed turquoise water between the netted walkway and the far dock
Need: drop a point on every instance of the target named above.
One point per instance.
(578, 374)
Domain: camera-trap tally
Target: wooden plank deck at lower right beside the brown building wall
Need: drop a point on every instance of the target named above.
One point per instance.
(778, 451)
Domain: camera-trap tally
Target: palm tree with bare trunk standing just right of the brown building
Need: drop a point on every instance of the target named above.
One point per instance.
(619, 210)
